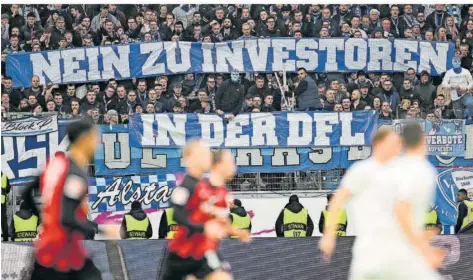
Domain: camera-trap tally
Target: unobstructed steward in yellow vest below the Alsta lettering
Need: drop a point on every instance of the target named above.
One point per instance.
(136, 224)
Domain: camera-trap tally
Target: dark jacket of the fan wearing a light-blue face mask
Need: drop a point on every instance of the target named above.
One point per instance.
(229, 97)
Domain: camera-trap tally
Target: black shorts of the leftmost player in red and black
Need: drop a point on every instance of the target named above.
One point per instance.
(88, 272)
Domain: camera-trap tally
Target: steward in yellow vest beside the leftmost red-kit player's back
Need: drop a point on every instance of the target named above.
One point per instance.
(24, 225)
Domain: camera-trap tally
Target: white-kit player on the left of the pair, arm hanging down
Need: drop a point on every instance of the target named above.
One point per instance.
(360, 187)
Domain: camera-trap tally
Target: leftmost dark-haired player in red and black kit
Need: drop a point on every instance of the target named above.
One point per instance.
(63, 186)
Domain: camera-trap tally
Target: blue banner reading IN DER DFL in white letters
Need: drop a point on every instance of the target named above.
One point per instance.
(255, 130)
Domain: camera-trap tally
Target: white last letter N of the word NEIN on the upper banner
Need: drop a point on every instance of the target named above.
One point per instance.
(111, 61)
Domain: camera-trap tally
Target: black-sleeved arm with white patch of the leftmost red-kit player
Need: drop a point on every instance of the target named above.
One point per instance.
(74, 190)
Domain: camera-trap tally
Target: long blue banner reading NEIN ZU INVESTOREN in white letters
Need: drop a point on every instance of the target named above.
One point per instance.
(82, 65)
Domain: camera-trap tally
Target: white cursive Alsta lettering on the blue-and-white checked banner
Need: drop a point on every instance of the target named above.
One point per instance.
(114, 194)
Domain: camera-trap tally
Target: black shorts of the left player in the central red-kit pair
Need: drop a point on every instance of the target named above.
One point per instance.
(177, 268)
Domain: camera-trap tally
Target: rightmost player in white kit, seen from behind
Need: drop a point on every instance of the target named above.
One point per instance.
(411, 189)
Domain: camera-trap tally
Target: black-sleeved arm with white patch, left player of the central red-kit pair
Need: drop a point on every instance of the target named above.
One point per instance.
(179, 199)
